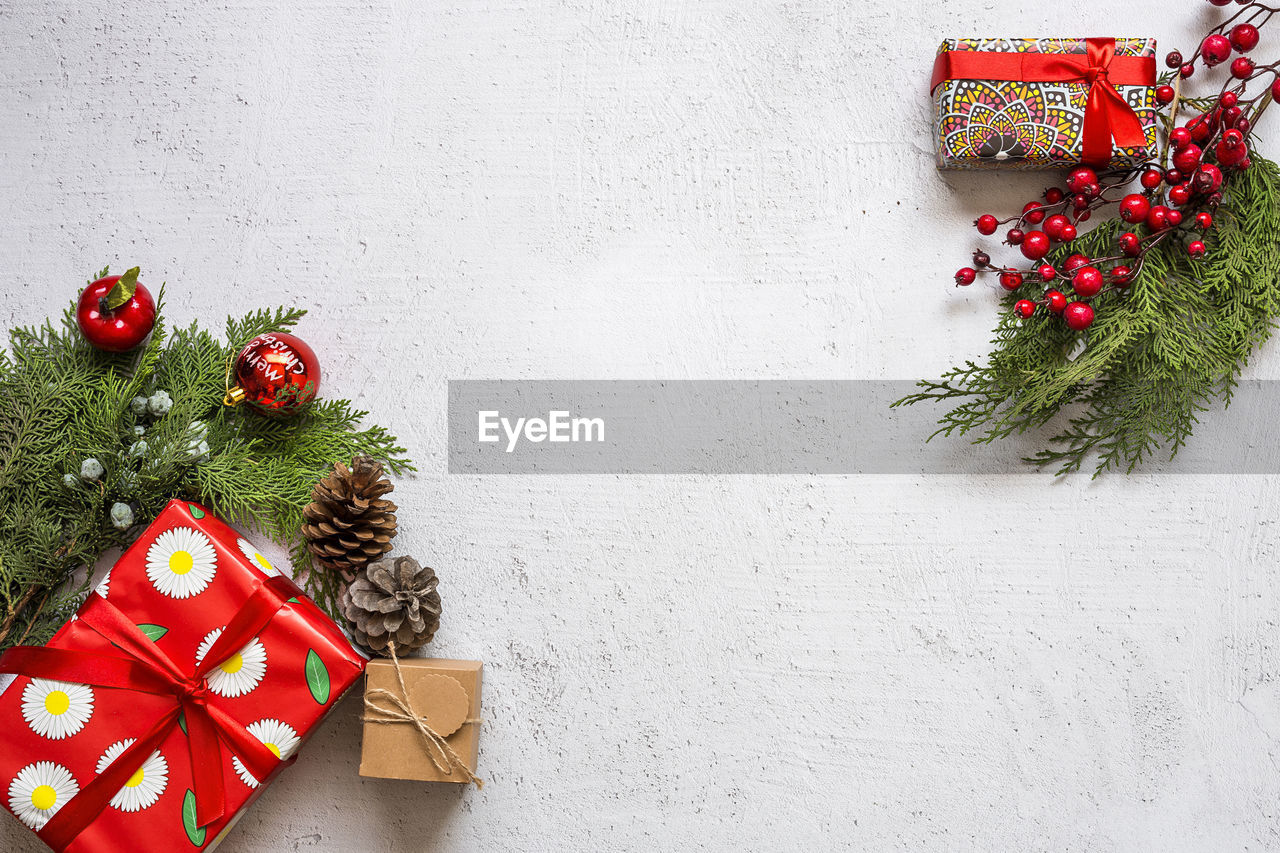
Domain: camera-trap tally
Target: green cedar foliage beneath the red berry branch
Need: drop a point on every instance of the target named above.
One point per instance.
(1159, 354)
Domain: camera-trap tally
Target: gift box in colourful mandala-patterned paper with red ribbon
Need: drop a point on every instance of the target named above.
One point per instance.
(1045, 103)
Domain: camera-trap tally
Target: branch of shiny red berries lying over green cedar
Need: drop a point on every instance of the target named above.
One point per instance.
(1177, 198)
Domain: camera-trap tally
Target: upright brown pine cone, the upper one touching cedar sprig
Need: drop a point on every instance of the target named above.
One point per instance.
(349, 523)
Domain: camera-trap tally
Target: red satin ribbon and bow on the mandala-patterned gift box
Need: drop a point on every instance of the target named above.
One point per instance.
(1107, 115)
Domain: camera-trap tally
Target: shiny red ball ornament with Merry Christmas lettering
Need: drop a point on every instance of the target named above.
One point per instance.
(278, 375)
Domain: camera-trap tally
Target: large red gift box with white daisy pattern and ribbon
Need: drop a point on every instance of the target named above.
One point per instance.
(188, 580)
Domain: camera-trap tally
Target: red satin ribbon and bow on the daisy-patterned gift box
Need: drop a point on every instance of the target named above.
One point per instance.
(145, 669)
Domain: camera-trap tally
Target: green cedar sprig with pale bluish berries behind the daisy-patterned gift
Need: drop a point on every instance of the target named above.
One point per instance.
(62, 403)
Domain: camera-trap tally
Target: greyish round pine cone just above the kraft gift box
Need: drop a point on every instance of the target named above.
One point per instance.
(394, 600)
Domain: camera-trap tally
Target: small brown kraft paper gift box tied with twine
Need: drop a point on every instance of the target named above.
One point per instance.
(445, 696)
